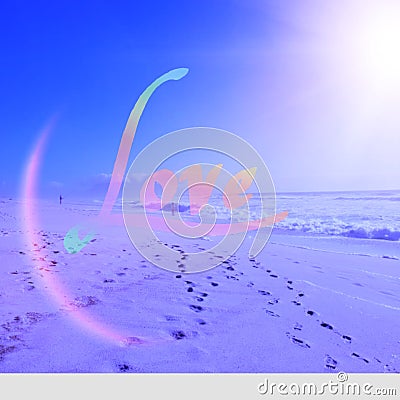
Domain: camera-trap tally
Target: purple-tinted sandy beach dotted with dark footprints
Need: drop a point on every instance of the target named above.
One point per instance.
(106, 309)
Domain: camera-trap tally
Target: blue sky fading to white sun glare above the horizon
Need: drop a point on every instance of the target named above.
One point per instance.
(286, 76)
